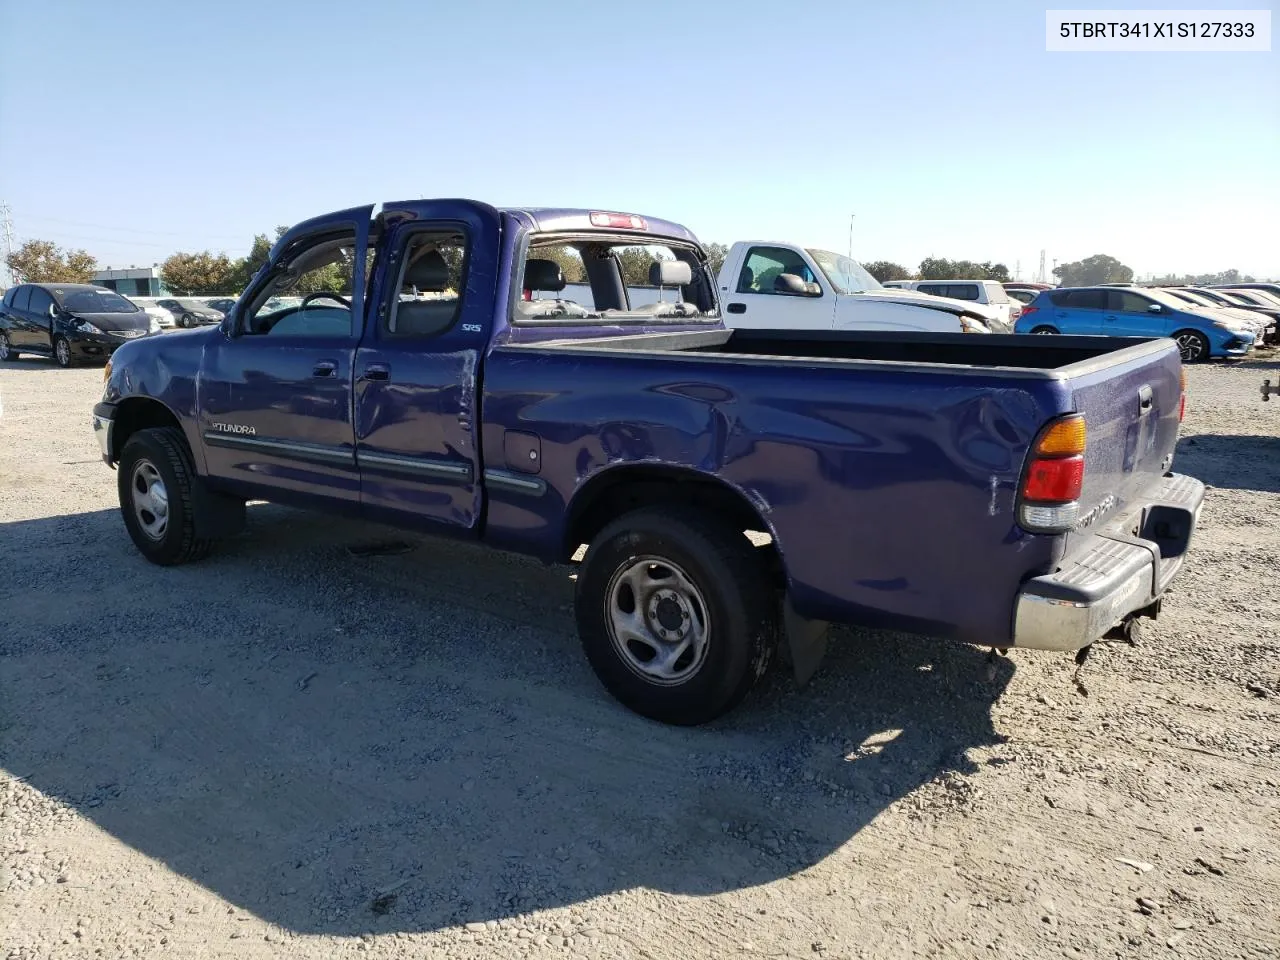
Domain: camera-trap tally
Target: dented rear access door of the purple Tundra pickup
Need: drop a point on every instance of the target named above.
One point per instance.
(418, 369)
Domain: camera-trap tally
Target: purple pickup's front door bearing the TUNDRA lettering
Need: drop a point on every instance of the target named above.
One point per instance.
(276, 383)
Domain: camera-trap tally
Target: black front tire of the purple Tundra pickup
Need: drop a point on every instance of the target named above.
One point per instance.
(163, 450)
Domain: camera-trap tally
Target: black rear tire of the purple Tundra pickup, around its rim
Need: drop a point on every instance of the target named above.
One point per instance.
(739, 606)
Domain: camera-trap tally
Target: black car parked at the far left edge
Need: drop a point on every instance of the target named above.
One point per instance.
(68, 322)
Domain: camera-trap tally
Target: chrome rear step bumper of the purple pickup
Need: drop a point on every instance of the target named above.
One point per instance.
(1126, 569)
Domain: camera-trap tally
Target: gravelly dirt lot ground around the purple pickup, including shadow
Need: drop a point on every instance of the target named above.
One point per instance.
(298, 751)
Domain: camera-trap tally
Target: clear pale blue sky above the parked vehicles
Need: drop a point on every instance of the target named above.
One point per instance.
(136, 129)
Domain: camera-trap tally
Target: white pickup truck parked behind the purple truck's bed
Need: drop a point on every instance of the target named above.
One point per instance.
(788, 287)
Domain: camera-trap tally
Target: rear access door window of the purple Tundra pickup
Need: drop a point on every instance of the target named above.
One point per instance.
(429, 290)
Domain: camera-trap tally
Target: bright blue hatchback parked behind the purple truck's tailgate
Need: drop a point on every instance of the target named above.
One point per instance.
(1130, 312)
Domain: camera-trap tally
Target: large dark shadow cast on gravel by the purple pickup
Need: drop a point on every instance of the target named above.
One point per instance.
(365, 743)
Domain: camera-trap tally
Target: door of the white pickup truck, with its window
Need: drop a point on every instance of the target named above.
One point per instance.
(757, 303)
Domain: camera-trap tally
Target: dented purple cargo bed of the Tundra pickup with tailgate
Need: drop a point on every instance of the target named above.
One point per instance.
(885, 467)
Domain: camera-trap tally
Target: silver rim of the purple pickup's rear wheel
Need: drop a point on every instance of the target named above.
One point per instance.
(659, 621)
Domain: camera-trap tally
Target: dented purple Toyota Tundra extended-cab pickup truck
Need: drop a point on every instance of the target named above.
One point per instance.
(737, 491)
